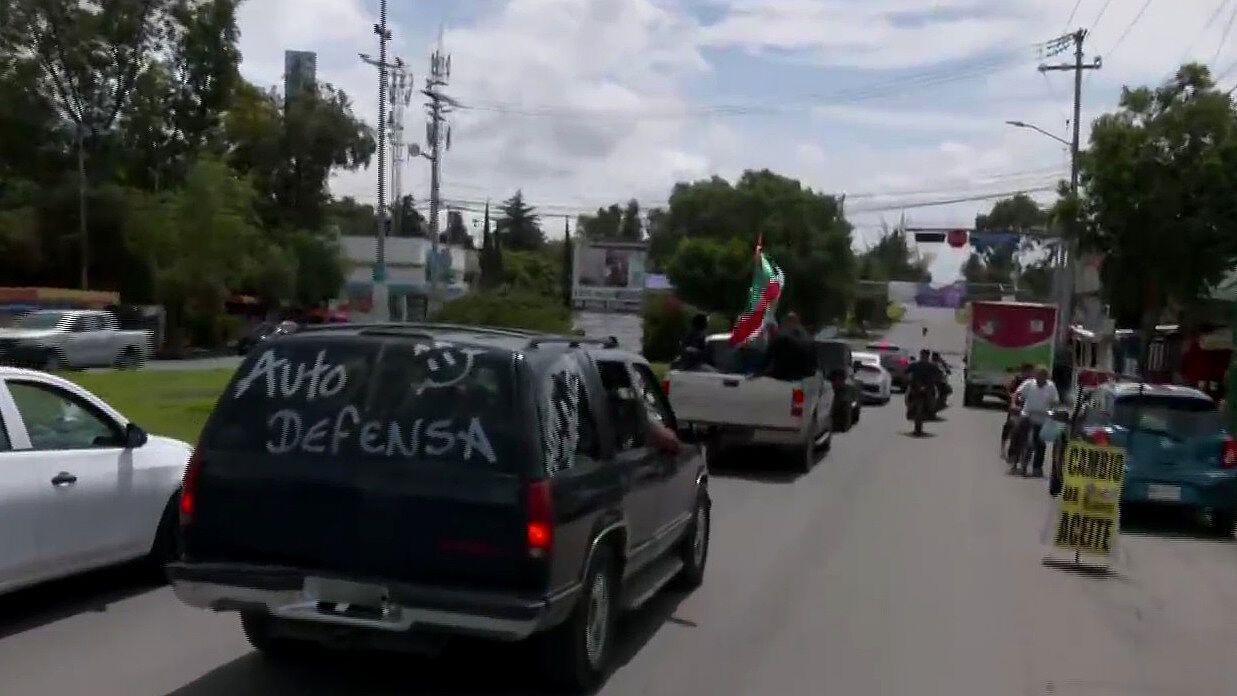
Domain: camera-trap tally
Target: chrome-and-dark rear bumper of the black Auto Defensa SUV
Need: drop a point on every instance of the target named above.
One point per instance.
(281, 593)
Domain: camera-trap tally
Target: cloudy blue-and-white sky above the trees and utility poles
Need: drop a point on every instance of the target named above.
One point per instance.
(894, 103)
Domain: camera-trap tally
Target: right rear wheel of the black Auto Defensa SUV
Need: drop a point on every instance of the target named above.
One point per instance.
(577, 652)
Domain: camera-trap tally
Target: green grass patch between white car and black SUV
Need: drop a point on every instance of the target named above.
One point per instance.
(173, 404)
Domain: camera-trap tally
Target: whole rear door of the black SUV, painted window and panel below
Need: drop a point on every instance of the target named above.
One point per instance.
(382, 468)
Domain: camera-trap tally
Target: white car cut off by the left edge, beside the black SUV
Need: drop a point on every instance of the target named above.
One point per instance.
(81, 486)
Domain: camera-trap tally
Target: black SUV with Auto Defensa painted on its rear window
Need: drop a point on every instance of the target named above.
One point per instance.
(392, 486)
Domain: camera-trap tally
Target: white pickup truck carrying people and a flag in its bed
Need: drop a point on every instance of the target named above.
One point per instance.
(737, 410)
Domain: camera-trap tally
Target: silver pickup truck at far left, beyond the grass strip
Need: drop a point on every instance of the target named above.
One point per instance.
(59, 339)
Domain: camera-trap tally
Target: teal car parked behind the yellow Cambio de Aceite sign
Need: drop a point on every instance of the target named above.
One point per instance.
(1178, 451)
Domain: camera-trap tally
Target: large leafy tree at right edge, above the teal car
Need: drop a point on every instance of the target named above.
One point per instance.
(1161, 195)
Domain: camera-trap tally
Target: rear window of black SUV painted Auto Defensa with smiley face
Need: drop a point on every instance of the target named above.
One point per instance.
(373, 397)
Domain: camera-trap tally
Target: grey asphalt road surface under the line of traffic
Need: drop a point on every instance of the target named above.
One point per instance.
(897, 567)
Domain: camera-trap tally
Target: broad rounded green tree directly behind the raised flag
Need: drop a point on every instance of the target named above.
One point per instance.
(803, 232)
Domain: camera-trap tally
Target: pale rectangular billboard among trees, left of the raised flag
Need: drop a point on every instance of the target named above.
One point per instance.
(608, 276)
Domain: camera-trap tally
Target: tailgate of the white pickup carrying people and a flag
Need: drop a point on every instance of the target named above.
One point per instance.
(733, 400)
